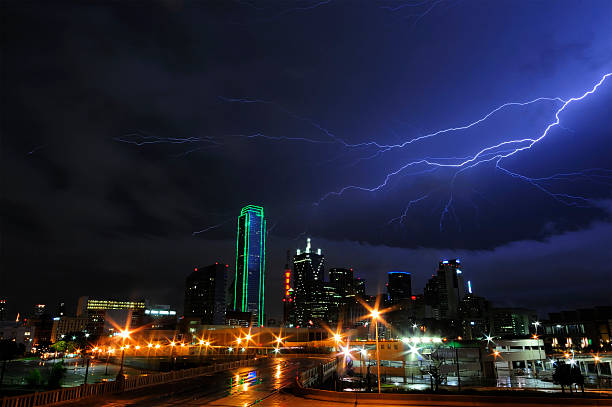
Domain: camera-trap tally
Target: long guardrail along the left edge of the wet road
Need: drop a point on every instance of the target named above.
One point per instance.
(131, 383)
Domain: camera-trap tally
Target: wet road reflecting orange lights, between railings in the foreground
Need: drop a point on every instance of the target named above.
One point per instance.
(238, 387)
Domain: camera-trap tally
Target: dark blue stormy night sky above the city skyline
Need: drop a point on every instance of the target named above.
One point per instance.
(133, 133)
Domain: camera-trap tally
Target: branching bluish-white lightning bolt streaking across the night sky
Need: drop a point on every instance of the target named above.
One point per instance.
(494, 153)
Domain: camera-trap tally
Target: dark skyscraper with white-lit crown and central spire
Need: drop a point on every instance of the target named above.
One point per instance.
(308, 271)
